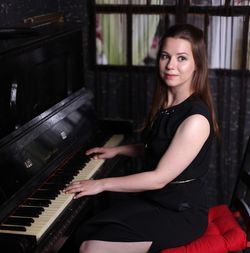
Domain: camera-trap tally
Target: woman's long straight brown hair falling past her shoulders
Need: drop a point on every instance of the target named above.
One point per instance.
(200, 84)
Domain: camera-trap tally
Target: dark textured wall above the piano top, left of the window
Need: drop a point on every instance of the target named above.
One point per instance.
(13, 12)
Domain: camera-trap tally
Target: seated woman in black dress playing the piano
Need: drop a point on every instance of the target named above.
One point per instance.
(170, 209)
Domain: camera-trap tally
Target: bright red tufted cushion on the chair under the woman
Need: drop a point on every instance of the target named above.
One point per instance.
(223, 234)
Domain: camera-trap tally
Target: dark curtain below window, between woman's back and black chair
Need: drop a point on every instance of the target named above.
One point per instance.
(231, 94)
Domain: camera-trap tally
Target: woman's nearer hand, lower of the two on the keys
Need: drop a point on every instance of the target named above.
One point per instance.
(84, 188)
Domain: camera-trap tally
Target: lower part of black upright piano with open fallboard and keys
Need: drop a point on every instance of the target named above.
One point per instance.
(39, 159)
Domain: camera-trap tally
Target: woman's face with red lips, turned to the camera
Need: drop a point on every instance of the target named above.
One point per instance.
(176, 63)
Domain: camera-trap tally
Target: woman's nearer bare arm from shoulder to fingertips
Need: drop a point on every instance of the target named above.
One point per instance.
(186, 144)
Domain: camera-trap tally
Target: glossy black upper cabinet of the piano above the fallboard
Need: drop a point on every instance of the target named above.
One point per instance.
(38, 69)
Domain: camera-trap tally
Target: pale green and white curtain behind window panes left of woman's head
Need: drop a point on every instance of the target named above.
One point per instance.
(111, 38)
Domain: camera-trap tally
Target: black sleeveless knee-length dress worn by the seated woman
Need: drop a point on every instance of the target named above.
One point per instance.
(172, 216)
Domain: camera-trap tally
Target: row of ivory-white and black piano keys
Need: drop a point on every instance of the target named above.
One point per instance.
(38, 223)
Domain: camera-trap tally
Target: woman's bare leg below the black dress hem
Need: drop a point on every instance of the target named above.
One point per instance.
(95, 246)
